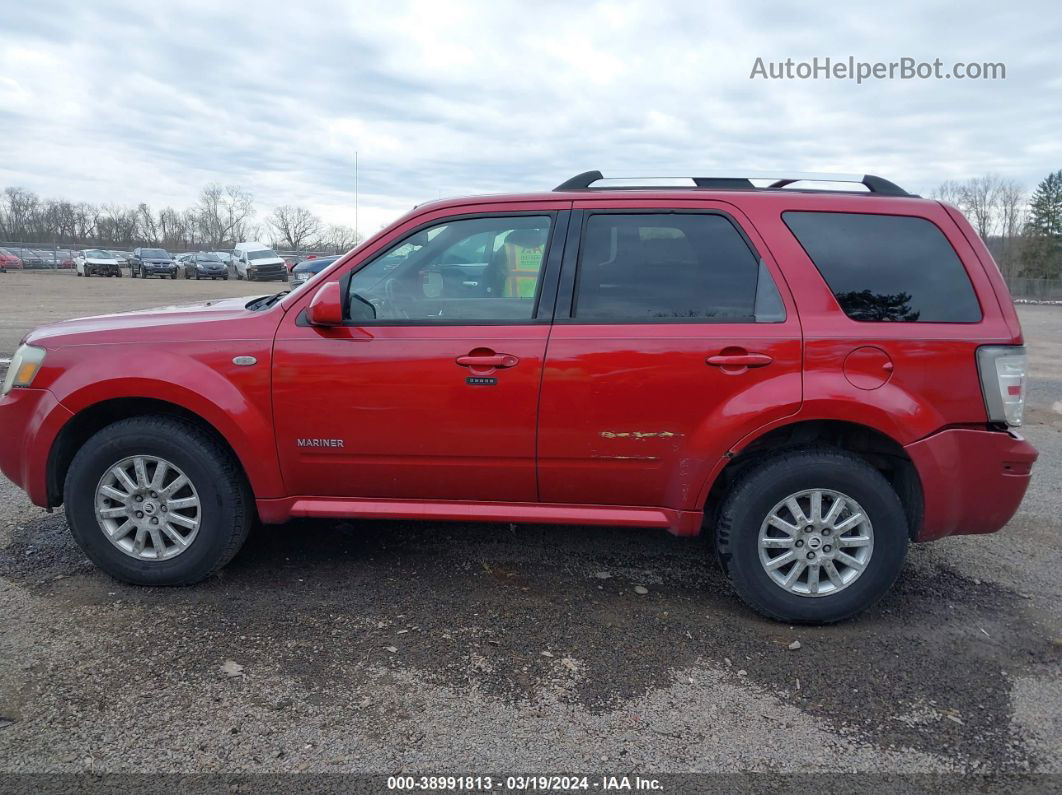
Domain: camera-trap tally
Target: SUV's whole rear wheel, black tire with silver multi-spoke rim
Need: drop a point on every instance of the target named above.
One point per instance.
(812, 537)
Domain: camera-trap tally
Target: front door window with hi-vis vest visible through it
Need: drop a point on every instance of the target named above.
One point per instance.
(485, 270)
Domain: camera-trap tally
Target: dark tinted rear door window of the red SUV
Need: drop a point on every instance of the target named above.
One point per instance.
(664, 268)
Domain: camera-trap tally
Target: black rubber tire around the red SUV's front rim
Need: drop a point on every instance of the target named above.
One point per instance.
(228, 507)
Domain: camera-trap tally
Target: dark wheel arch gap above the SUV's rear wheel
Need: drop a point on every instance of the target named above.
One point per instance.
(875, 446)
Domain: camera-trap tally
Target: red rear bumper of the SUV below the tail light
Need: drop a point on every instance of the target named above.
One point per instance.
(973, 480)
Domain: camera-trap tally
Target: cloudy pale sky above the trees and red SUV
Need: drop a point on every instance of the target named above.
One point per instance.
(128, 102)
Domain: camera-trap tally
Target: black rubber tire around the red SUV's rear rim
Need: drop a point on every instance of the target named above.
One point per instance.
(751, 500)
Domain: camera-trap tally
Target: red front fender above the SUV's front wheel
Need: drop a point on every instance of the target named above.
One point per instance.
(201, 379)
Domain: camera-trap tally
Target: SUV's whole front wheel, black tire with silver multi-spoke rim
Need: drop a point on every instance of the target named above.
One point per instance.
(158, 502)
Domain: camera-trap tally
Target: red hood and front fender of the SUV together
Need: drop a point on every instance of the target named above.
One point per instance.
(180, 355)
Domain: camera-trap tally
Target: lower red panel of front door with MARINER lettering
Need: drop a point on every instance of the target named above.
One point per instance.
(410, 425)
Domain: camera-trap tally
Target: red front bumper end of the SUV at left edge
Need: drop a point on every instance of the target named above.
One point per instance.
(30, 421)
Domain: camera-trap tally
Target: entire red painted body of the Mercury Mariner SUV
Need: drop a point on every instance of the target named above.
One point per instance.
(596, 424)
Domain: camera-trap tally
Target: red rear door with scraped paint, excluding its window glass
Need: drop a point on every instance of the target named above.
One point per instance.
(635, 414)
